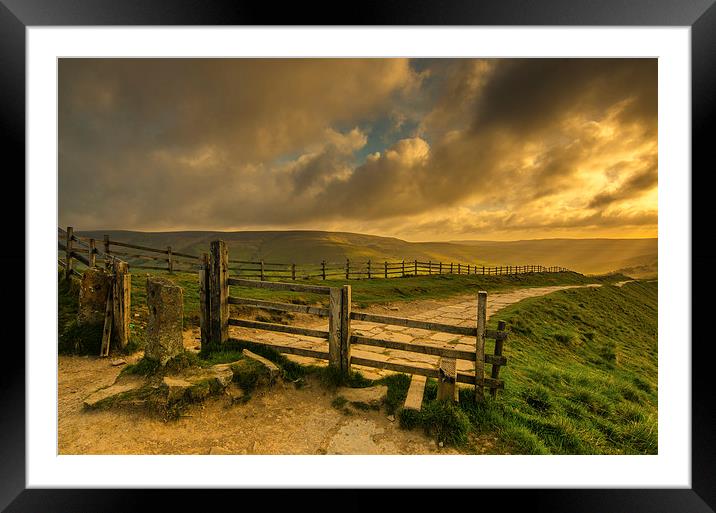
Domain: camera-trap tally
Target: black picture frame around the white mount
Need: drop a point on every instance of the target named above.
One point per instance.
(700, 16)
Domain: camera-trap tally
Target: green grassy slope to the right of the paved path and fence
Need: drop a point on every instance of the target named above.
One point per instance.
(582, 374)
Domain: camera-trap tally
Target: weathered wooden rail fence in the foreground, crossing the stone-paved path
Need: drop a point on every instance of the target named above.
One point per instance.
(215, 283)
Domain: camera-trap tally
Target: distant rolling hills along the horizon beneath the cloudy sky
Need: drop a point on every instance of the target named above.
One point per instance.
(589, 256)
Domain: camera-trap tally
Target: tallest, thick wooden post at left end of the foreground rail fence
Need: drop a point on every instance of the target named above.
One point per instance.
(219, 292)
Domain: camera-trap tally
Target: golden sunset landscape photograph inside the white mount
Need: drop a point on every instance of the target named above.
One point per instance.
(357, 256)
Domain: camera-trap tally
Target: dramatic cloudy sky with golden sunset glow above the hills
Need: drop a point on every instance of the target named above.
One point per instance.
(419, 149)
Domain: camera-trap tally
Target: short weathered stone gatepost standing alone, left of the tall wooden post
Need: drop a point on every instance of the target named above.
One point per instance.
(166, 313)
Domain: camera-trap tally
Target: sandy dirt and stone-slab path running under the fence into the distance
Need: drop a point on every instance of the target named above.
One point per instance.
(281, 420)
